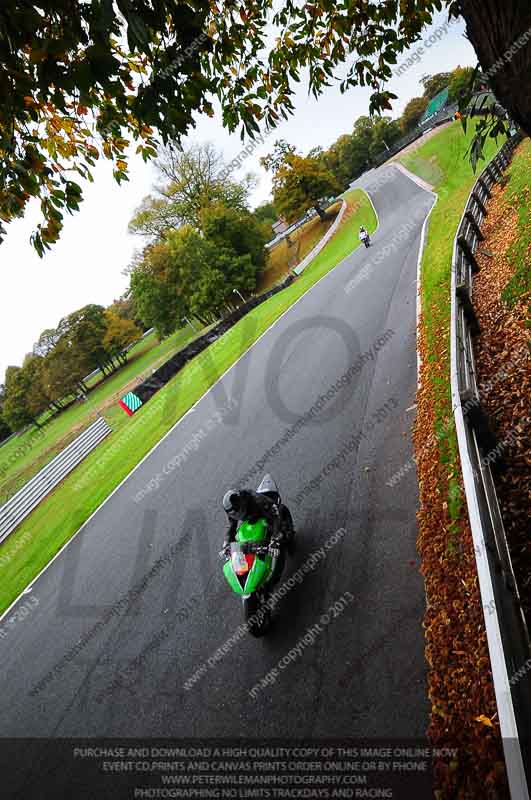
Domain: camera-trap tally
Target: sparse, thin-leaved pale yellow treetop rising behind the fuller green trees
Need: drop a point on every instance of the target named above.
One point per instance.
(193, 179)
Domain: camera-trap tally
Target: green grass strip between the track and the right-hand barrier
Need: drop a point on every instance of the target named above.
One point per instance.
(442, 162)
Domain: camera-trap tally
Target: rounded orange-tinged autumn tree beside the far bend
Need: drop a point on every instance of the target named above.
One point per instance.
(300, 184)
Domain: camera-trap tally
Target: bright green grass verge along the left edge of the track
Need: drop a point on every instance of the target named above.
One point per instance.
(39, 538)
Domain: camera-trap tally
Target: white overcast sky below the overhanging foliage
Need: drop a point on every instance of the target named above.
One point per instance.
(86, 265)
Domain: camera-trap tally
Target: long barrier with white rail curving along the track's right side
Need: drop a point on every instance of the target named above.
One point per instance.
(507, 634)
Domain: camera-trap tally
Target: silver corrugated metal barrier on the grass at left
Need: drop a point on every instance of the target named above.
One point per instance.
(35, 490)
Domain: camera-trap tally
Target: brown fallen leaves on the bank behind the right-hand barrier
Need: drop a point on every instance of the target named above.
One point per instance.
(502, 363)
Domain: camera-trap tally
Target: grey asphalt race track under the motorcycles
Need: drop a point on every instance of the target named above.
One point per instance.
(364, 675)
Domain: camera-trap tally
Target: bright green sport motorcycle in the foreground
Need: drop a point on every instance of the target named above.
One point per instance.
(257, 559)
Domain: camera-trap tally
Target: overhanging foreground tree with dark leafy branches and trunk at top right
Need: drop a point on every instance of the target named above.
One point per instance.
(87, 78)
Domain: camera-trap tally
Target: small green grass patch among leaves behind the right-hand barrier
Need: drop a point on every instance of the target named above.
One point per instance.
(518, 196)
